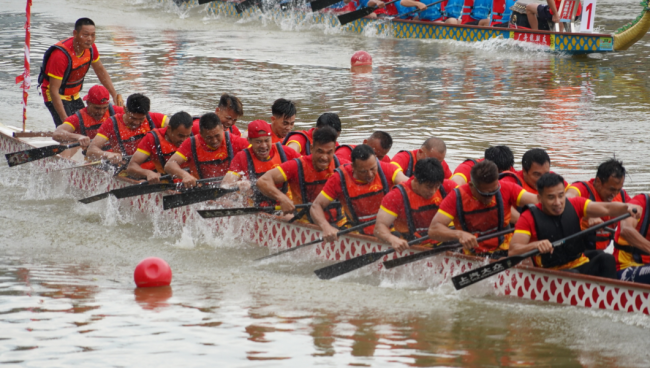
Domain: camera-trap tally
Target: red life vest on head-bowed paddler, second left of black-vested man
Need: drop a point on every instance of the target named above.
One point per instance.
(419, 212)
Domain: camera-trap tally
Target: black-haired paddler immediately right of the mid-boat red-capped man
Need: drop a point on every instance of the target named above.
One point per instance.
(306, 175)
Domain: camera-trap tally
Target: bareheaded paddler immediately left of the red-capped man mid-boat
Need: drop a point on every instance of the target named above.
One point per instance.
(207, 154)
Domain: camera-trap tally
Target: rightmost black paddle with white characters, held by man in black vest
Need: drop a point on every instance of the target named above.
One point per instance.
(471, 277)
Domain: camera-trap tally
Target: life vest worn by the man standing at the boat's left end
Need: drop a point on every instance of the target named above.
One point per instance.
(75, 72)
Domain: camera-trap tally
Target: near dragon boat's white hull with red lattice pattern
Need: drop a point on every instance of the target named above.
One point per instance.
(525, 282)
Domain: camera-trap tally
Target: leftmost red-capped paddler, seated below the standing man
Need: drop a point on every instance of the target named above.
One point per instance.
(83, 125)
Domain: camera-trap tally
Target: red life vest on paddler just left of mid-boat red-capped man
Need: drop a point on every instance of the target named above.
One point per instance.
(211, 164)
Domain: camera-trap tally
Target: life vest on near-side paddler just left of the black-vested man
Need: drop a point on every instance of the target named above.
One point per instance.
(473, 217)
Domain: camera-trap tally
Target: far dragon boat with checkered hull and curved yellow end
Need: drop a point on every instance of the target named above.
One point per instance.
(553, 41)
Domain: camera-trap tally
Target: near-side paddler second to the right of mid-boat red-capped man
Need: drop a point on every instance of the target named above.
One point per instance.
(360, 187)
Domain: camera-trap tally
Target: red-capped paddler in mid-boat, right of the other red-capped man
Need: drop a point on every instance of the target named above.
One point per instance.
(262, 156)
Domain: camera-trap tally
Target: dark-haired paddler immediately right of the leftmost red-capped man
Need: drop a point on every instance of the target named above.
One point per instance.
(124, 131)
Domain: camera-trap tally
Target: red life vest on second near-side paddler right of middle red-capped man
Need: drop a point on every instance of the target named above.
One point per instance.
(361, 202)
